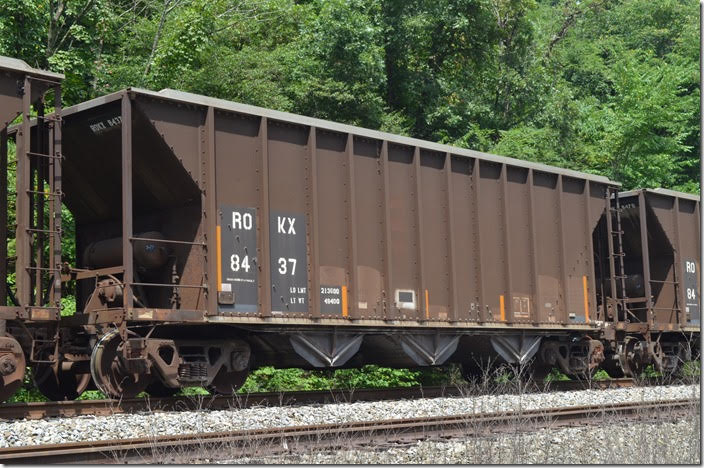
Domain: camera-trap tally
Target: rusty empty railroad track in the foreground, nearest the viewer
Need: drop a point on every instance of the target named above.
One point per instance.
(299, 439)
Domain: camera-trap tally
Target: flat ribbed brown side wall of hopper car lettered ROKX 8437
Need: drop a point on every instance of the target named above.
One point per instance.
(506, 266)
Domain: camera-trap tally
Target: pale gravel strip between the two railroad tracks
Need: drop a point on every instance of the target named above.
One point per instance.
(124, 426)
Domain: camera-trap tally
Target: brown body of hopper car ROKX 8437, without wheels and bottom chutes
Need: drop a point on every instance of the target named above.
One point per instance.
(306, 220)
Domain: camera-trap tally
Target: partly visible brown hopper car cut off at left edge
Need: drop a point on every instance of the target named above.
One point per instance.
(29, 322)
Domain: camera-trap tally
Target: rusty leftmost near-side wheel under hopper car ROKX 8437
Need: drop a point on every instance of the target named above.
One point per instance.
(109, 371)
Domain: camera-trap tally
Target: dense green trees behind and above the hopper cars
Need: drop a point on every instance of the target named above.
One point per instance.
(604, 86)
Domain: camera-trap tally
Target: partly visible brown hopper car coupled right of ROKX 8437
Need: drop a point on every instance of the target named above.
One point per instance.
(652, 246)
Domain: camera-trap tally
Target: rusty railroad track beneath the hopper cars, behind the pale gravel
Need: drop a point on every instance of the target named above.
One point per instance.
(40, 410)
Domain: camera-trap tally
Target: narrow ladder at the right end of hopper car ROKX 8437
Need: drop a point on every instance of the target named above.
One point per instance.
(618, 298)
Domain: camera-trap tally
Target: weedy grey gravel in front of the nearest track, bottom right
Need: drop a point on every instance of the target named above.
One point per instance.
(635, 443)
